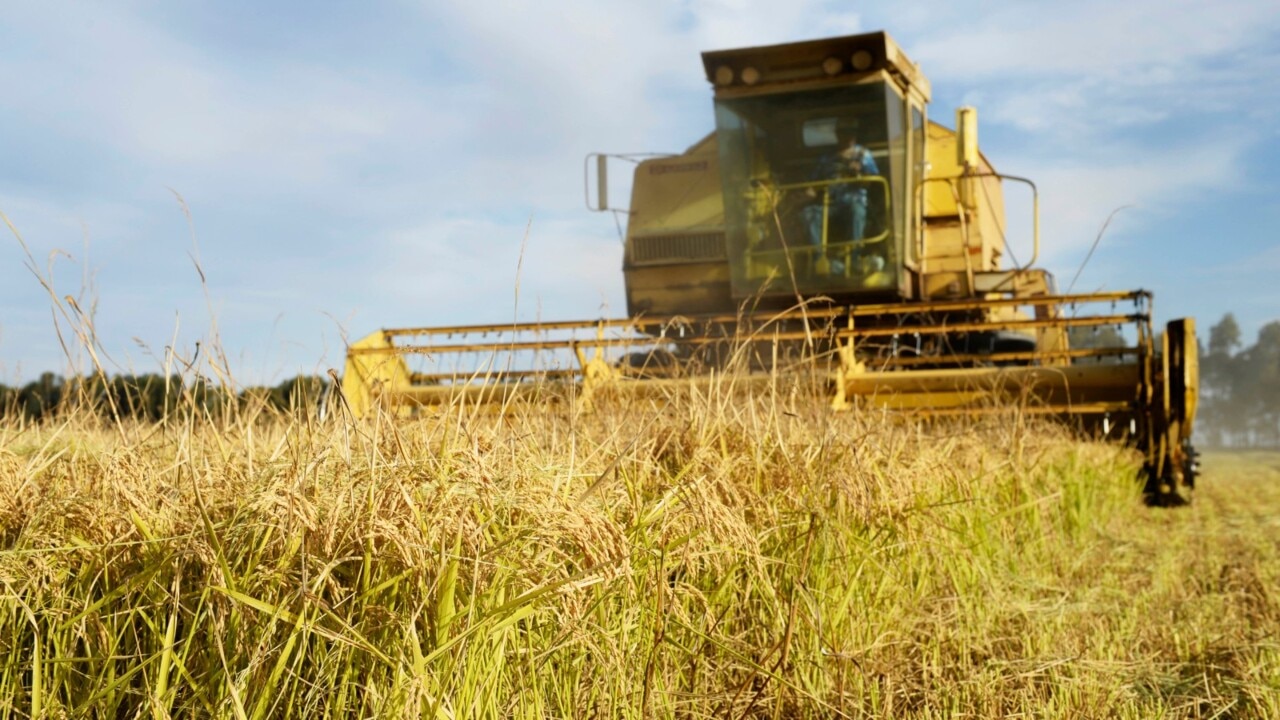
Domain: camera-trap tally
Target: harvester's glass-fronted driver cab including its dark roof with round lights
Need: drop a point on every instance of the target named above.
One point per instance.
(816, 148)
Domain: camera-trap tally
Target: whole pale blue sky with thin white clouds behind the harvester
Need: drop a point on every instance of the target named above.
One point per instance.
(280, 179)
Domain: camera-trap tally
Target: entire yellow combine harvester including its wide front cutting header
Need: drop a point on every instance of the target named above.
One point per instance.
(828, 230)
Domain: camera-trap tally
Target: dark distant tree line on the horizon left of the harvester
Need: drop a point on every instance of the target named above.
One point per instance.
(153, 397)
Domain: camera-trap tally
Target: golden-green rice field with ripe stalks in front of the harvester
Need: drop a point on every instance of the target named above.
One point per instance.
(711, 558)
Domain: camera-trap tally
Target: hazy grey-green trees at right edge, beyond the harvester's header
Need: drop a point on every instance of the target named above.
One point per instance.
(1240, 403)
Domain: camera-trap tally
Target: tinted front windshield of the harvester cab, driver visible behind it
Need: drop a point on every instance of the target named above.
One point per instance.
(812, 189)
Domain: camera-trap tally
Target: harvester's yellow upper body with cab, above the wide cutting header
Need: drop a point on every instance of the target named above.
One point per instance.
(824, 179)
